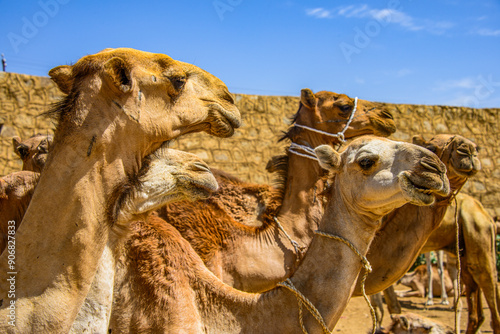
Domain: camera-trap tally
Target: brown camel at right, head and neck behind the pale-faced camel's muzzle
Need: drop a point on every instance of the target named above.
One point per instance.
(460, 157)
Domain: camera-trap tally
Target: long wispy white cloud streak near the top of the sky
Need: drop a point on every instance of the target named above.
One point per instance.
(384, 16)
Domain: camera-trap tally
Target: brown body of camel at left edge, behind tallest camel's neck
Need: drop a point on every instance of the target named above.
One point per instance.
(16, 190)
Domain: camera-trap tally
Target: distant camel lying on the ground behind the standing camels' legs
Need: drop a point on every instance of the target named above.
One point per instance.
(418, 281)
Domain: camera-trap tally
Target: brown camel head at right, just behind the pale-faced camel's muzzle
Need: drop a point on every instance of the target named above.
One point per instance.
(459, 154)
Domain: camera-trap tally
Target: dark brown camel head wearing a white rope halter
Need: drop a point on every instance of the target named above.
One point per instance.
(330, 112)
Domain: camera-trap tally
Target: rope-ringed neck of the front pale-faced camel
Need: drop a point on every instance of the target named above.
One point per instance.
(326, 276)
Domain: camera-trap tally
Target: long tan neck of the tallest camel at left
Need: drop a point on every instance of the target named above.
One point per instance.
(64, 230)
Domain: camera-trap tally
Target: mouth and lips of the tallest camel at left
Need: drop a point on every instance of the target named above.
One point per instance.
(222, 122)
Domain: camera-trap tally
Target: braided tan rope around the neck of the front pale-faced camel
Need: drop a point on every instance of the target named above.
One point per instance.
(302, 300)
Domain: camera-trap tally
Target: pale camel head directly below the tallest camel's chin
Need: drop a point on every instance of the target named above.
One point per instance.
(166, 176)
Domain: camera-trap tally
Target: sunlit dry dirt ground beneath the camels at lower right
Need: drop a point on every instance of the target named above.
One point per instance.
(357, 320)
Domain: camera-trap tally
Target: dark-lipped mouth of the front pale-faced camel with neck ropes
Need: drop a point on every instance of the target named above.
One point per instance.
(417, 193)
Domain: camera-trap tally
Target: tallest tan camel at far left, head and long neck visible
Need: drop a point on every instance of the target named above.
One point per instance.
(121, 105)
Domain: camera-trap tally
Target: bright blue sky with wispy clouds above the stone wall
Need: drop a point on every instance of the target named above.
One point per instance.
(401, 51)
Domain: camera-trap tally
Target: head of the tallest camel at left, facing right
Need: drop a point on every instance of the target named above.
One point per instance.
(160, 97)
